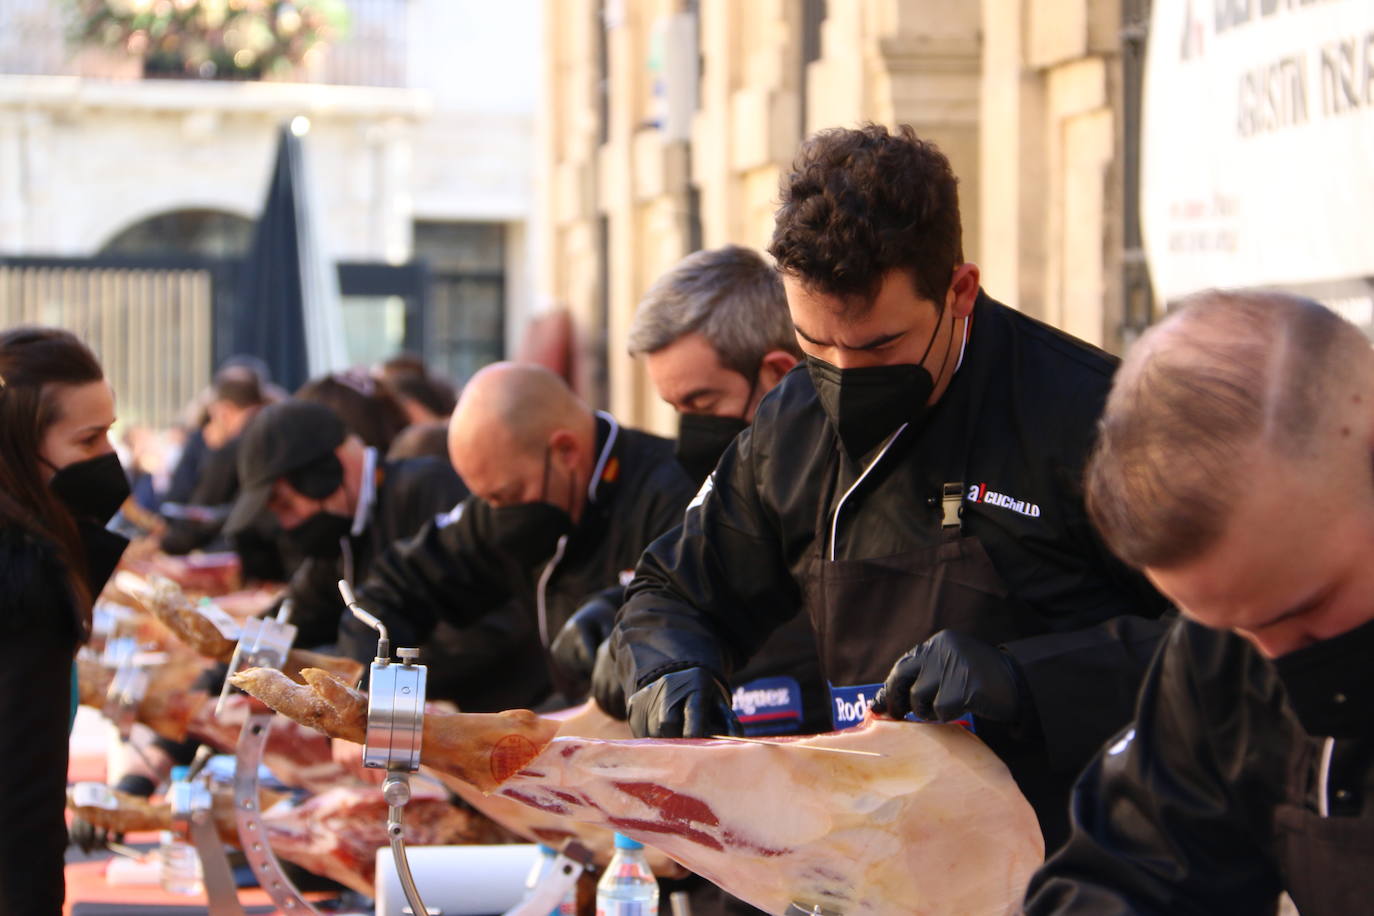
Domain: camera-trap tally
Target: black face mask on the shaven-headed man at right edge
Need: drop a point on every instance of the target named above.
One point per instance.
(1331, 686)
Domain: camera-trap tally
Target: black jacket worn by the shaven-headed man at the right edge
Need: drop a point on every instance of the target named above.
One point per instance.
(1211, 803)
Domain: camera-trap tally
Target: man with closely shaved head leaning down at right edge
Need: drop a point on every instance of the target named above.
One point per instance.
(1236, 470)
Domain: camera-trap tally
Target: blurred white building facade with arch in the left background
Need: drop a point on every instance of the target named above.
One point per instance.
(421, 145)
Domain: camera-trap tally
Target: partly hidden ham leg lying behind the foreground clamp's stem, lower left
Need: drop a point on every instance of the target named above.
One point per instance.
(335, 834)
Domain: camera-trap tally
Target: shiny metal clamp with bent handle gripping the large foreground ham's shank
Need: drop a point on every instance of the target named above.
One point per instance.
(395, 729)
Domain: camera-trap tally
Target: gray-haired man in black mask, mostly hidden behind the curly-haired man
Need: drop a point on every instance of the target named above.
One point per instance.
(717, 337)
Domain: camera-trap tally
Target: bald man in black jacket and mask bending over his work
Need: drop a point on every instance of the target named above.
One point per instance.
(564, 501)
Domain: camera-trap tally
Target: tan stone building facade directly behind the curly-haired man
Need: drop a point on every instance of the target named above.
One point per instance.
(668, 123)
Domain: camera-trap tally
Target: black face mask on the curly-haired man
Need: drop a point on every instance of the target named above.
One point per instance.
(869, 404)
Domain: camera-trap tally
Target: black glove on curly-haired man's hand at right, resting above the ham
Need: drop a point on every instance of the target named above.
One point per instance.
(951, 675)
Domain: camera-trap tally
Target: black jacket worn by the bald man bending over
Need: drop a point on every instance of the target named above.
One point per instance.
(450, 573)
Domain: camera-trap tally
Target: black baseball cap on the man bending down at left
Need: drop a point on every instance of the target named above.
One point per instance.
(282, 439)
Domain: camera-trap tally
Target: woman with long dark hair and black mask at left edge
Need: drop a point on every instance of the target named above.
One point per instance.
(60, 484)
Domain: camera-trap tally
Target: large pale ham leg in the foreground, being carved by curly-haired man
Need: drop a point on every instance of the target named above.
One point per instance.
(935, 826)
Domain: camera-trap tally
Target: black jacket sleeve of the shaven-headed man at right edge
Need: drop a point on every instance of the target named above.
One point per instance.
(1160, 825)
